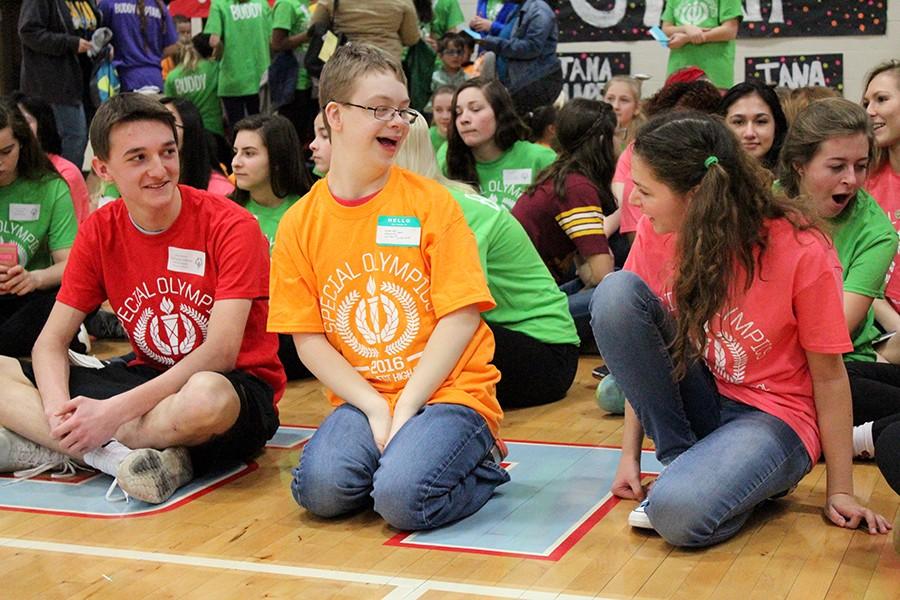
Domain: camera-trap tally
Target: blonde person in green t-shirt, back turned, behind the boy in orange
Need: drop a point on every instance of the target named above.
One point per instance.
(536, 341)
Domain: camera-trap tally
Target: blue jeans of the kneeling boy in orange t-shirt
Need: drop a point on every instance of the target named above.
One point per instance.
(437, 469)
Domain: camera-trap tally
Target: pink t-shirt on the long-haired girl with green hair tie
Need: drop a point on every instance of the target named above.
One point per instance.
(756, 345)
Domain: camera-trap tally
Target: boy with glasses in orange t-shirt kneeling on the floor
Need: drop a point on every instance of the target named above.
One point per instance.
(376, 275)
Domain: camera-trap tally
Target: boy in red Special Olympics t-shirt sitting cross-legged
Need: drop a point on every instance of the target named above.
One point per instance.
(186, 273)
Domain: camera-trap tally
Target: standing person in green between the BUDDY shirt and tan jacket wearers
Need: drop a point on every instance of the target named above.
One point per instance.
(290, 21)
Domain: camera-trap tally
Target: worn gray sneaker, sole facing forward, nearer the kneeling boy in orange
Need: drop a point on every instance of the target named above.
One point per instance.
(153, 475)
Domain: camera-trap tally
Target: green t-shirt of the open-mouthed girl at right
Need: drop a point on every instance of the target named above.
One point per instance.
(866, 244)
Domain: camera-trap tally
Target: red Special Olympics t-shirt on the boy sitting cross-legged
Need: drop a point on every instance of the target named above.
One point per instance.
(162, 287)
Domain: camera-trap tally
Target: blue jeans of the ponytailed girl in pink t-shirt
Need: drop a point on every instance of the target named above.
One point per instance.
(722, 457)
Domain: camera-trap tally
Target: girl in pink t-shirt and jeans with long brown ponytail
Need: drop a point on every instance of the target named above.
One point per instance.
(721, 333)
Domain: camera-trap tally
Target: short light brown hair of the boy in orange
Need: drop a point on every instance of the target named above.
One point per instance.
(347, 65)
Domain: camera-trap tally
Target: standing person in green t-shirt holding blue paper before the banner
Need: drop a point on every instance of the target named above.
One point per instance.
(701, 33)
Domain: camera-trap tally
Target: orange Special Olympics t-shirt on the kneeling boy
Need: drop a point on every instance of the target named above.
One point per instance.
(376, 278)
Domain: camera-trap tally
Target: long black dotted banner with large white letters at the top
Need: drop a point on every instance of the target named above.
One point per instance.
(620, 20)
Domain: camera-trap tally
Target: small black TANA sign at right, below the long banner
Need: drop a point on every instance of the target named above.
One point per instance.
(801, 70)
